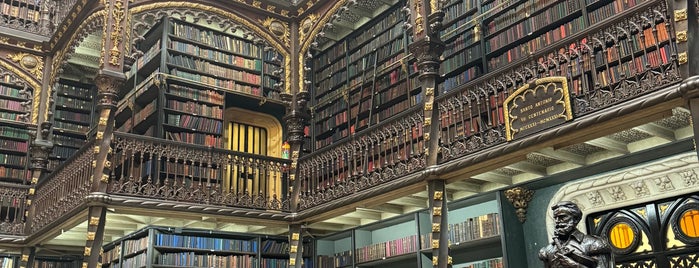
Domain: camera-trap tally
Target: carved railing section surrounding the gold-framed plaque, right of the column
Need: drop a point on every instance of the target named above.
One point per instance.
(612, 62)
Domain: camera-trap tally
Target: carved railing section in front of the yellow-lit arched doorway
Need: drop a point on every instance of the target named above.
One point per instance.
(171, 171)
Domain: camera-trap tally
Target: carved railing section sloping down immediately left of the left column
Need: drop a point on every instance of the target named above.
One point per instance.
(64, 189)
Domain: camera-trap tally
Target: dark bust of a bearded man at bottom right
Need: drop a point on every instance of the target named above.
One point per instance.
(570, 247)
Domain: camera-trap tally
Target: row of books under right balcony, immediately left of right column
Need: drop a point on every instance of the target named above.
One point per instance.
(387, 249)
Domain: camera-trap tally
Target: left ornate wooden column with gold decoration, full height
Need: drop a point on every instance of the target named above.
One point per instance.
(109, 79)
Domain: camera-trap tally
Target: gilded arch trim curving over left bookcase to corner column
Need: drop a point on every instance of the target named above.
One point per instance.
(226, 14)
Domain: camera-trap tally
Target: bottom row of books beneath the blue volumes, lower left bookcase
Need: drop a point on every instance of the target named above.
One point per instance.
(209, 260)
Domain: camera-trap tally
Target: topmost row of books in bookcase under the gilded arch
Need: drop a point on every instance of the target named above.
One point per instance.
(215, 39)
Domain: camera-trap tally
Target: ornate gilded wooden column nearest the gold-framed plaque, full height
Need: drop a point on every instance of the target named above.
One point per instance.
(426, 21)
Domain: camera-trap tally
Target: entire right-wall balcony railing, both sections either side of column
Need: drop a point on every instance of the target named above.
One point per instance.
(612, 62)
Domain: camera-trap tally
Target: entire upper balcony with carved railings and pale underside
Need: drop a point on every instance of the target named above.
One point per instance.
(622, 78)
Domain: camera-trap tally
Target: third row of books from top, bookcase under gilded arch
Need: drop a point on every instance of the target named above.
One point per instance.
(213, 69)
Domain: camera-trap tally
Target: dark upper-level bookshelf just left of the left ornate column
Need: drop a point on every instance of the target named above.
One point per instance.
(72, 118)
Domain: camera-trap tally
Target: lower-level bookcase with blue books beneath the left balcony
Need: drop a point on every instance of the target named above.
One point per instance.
(160, 247)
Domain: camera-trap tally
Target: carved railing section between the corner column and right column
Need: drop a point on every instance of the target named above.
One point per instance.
(385, 152)
